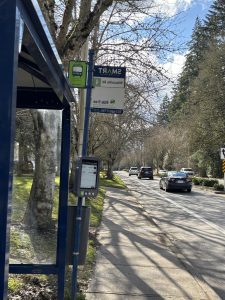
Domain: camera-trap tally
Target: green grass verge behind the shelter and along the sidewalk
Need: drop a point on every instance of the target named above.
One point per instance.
(21, 247)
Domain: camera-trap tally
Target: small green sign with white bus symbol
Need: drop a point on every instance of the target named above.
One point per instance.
(78, 73)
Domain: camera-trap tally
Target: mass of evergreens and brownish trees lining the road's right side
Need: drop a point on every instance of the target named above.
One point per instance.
(188, 129)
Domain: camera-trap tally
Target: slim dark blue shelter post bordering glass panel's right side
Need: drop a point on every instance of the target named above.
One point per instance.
(63, 202)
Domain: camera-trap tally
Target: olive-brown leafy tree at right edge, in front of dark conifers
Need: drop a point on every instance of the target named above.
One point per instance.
(207, 107)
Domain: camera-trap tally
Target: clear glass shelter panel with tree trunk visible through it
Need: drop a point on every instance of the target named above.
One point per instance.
(33, 236)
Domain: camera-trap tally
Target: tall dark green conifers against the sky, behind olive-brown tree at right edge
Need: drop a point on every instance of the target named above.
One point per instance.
(204, 35)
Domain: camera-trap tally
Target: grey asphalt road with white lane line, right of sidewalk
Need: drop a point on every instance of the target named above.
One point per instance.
(194, 222)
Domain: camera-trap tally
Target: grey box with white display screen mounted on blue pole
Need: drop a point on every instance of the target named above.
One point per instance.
(87, 177)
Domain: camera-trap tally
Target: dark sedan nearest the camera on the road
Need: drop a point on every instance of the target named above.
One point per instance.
(176, 181)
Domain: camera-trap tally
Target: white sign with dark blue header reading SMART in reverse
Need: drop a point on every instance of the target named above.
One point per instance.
(108, 89)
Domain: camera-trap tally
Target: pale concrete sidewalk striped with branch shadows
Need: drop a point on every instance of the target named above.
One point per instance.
(135, 260)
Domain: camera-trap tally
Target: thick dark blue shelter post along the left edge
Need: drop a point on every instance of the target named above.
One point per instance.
(9, 40)
